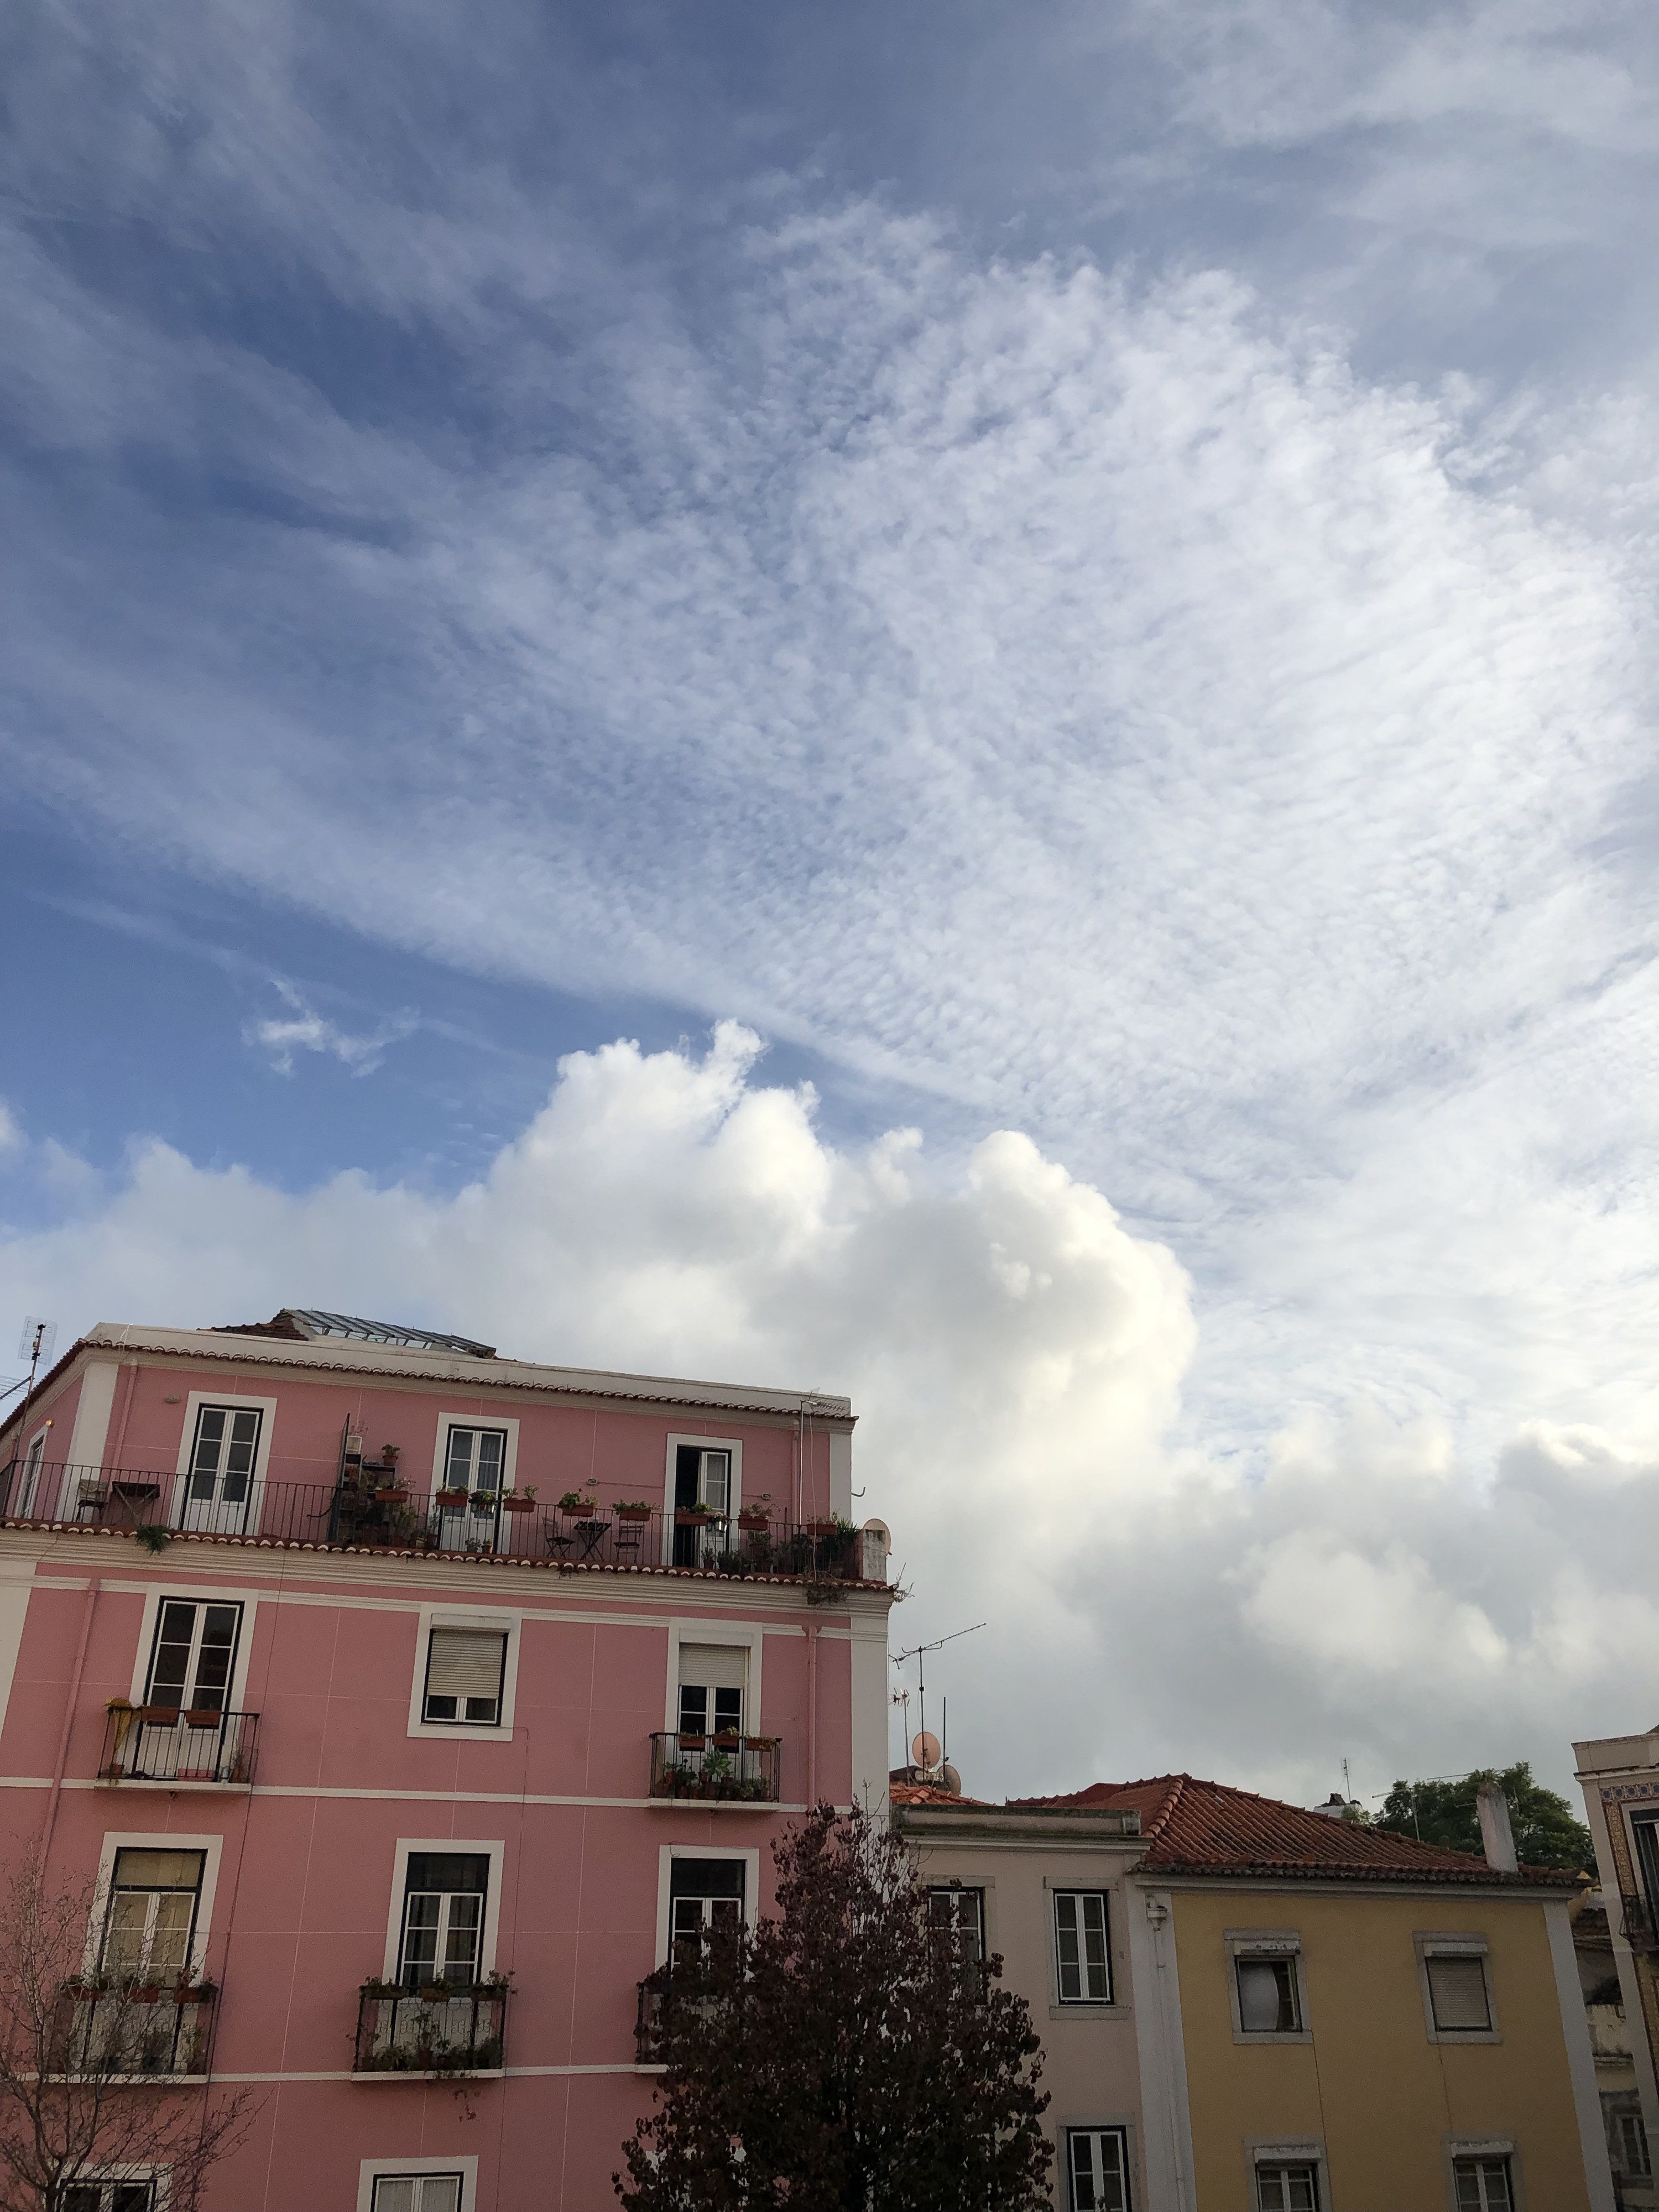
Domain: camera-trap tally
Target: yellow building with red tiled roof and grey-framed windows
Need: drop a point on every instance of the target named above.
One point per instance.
(1326, 2018)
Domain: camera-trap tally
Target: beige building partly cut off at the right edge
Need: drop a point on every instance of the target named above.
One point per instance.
(1620, 1777)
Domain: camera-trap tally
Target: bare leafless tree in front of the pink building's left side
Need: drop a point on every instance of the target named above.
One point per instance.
(87, 2060)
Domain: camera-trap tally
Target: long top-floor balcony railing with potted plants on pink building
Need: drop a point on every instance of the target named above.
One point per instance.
(373, 1510)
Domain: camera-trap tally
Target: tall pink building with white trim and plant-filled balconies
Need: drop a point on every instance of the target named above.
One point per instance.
(404, 1702)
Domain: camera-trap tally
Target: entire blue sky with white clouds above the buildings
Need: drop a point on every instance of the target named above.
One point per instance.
(1081, 572)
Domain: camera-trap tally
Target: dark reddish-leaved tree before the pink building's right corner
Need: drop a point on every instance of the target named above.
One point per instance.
(844, 2058)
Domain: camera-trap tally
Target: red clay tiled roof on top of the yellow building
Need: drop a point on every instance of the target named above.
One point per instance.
(1209, 1828)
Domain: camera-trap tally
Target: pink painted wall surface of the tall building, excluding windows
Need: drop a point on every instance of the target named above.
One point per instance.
(306, 1877)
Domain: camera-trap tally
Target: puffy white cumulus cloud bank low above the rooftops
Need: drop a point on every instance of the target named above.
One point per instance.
(1019, 1361)
